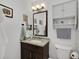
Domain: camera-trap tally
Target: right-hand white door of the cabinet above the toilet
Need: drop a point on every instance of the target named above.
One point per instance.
(70, 8)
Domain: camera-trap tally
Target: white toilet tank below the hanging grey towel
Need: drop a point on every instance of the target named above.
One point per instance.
(63, 52)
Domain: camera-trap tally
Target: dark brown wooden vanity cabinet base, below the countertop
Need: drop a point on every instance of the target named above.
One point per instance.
(29, 51)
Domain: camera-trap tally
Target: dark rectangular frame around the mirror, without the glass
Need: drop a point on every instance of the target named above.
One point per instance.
(46, 31)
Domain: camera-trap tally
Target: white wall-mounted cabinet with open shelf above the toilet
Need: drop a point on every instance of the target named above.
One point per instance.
(65, 15)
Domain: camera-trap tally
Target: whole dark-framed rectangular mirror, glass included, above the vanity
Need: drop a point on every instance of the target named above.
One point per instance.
(40, 23)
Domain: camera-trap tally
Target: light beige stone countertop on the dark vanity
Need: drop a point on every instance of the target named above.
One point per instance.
(38, 41)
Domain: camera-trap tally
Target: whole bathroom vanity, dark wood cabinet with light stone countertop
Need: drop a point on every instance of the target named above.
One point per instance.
(35, 49)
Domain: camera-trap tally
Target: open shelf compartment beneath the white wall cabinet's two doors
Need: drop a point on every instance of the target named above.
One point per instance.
(64, 21)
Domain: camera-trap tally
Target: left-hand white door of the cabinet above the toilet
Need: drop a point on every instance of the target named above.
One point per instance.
(58, 11)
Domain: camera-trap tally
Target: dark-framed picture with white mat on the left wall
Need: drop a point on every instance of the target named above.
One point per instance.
(7, 11)
